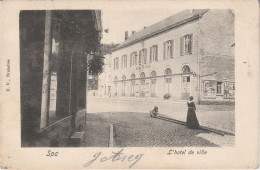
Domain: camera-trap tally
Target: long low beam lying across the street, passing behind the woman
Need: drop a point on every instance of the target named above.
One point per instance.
(217, 131)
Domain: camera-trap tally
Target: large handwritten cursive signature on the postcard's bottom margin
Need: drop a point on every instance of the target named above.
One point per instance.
(116, 156)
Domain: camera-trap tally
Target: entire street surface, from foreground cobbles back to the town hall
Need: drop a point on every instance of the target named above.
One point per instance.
(133, 127)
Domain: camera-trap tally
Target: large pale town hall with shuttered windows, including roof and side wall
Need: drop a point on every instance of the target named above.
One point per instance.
(188, 54)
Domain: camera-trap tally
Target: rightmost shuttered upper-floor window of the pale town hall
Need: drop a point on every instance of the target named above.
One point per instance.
(186, 44)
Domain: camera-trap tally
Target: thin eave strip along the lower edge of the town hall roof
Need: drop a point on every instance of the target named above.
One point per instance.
(160, 31)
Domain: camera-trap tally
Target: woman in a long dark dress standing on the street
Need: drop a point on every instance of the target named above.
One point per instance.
(192, 121)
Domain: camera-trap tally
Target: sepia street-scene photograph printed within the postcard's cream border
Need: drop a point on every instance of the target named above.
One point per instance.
(164, 80)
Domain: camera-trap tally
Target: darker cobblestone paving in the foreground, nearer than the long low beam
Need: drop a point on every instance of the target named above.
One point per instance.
(140, 130)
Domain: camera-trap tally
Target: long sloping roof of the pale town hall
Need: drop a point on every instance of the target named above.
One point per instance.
(164, 25)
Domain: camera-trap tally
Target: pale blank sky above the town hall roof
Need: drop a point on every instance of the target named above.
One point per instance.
(119, 21)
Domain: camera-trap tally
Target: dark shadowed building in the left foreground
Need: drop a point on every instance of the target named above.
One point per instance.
(54, 46)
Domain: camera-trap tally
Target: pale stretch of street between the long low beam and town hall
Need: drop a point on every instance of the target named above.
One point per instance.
(220, 117)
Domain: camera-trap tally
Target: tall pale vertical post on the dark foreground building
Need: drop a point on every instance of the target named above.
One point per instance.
(46, 71)
